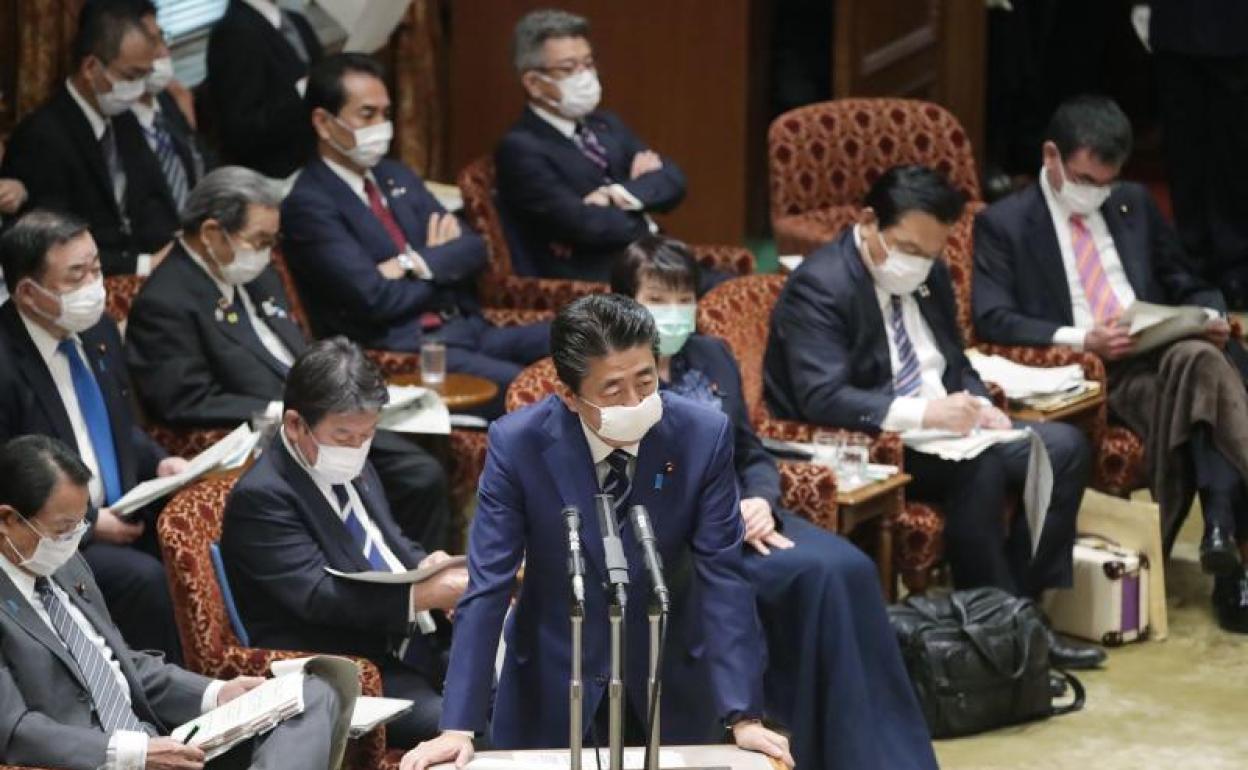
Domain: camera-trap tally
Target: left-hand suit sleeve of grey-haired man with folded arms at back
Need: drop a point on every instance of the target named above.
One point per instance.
(534, 189)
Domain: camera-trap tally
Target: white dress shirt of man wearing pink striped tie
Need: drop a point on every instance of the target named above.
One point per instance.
(1111, 264)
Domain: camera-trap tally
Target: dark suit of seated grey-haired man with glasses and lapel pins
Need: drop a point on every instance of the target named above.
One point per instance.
(195, 370)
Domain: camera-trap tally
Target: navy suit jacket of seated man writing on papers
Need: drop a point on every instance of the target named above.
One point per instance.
(828, 354)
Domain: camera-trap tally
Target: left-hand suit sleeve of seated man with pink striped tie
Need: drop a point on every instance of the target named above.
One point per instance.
(995, 308)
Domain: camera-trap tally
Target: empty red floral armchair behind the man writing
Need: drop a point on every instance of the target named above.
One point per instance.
(823, 159)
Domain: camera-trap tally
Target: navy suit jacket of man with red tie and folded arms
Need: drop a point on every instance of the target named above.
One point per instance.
(334, 245)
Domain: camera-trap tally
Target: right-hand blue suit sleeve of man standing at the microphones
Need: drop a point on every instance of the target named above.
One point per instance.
(734, 637)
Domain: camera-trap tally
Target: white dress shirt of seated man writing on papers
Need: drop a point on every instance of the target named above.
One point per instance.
(907, 412)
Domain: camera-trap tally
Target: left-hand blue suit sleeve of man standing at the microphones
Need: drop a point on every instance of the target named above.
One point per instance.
(496, 550)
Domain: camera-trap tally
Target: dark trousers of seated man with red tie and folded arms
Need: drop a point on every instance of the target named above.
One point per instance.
(496, 353)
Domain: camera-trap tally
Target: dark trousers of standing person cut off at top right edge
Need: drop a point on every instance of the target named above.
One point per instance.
(1204, 105)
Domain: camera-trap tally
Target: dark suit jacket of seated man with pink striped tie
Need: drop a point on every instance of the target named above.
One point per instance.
(1020, 291)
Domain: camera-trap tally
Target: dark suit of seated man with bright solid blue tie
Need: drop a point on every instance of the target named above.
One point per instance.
(133, 580)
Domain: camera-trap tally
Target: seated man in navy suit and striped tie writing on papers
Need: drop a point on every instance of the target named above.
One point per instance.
(864, 338)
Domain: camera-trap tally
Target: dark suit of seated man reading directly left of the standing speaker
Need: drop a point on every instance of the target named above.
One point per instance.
(279, 536)
